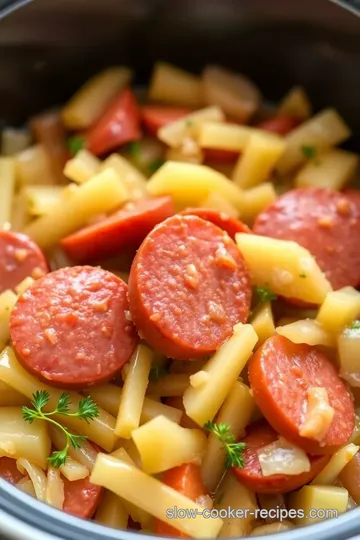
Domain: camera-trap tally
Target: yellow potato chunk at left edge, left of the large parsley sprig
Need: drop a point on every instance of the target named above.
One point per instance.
(20, 439)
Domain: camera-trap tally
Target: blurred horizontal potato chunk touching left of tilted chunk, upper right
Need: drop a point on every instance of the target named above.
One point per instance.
(224, 136)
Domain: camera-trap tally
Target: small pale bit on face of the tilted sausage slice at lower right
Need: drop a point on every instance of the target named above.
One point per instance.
(319, 414)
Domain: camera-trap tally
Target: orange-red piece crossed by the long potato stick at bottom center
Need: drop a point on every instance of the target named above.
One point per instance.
(187, 480)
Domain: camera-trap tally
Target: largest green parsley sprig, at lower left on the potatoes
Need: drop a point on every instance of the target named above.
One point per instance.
(87, 410)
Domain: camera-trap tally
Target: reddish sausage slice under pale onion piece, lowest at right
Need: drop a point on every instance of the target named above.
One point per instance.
(258, 436)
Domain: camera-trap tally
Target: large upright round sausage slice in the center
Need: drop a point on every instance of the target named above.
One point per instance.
(188, 286)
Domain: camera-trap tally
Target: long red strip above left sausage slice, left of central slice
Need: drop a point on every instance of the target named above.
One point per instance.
(126, 228)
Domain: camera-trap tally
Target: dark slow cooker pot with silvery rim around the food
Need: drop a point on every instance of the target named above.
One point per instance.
(49, 47)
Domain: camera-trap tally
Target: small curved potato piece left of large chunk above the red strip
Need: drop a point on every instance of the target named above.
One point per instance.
(130, 176)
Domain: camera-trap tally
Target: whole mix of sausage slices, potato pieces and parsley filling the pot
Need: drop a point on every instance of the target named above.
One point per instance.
(179, 306)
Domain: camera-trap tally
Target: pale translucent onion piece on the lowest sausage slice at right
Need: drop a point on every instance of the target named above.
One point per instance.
(282, 457)
